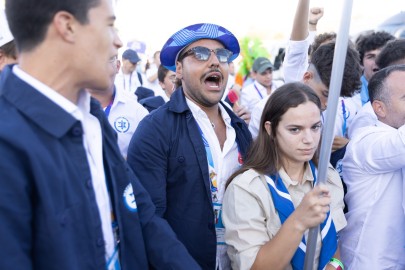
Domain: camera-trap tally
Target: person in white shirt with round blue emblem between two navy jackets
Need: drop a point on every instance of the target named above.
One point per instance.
(122, 109)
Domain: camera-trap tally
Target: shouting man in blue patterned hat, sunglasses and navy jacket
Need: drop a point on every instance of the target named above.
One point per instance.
(185, 150)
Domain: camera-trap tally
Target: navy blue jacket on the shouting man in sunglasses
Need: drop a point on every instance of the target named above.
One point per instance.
(168, 155)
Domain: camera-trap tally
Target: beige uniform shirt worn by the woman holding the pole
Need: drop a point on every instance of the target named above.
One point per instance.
(251, 219)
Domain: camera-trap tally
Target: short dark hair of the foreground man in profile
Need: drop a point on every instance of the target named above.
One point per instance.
(29, 19)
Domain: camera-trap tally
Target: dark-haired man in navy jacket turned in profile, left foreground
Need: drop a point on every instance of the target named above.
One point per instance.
(68, 200)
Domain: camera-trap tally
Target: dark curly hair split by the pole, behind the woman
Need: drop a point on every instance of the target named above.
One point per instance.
(322, 60)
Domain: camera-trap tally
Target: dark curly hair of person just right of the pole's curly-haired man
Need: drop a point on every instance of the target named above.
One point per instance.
(372, 41)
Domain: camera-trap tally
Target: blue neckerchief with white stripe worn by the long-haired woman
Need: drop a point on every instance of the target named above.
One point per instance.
(284, 206)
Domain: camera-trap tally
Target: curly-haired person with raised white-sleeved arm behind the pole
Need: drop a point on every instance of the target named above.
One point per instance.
(316, 72)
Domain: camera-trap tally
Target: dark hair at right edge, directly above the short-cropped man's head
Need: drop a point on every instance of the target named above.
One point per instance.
(391, 53)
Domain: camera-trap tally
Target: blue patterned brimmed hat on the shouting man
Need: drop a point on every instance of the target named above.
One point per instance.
(181, 39)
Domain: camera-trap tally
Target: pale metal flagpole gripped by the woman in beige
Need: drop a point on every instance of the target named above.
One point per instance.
(339, 58)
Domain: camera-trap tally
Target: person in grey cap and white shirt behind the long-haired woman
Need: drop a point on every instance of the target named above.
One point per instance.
(262, 87)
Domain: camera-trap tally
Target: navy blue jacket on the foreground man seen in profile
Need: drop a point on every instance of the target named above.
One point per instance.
(48, 213)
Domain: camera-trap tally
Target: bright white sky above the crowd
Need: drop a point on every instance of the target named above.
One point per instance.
(154, 21)
